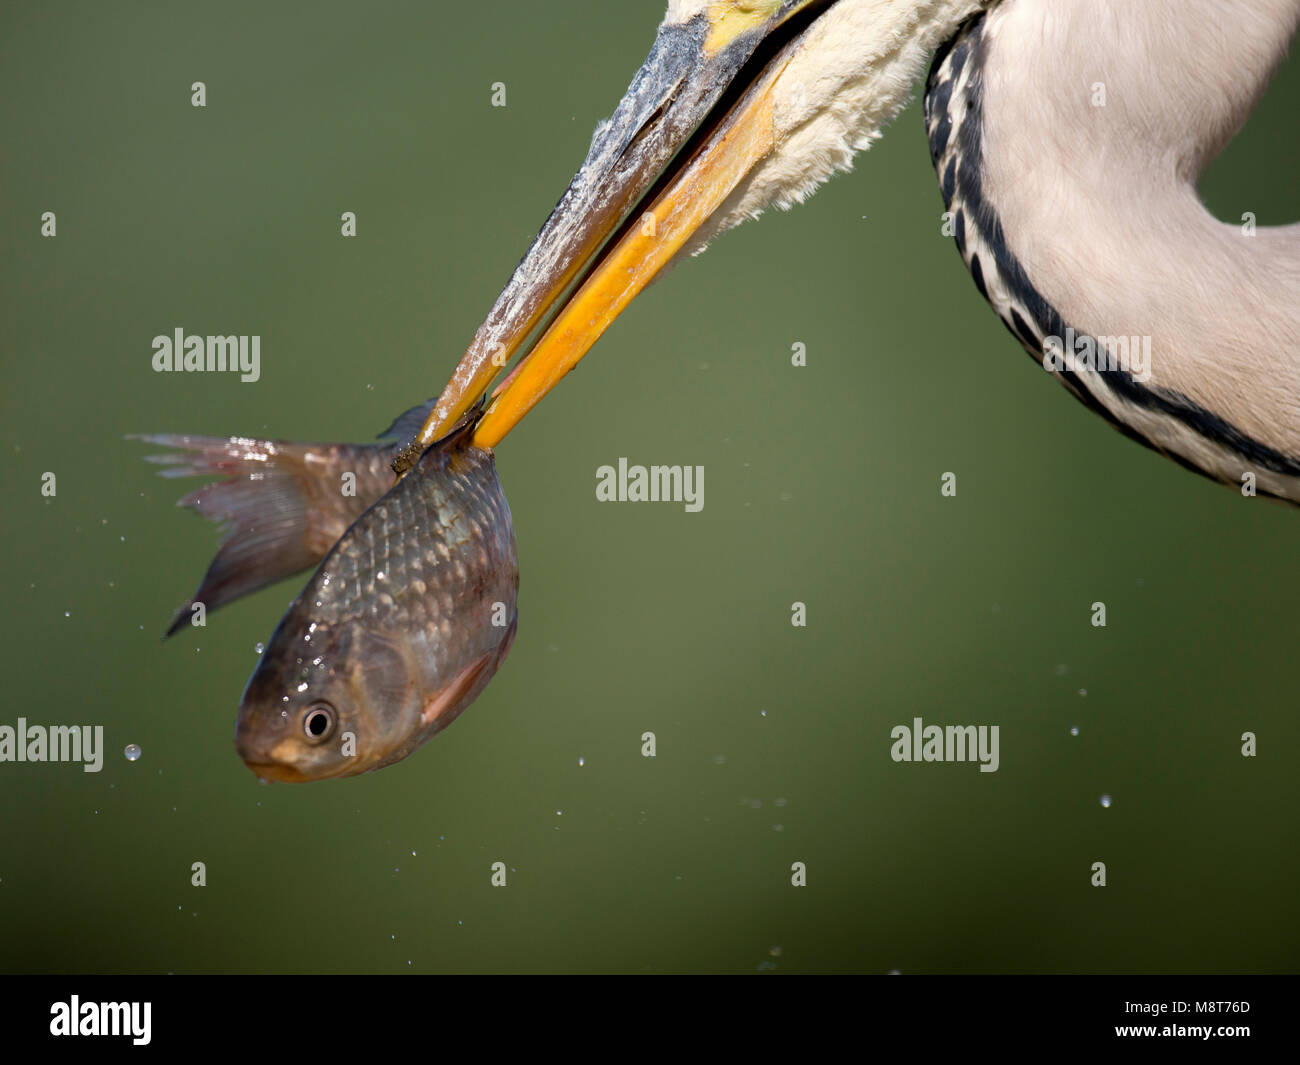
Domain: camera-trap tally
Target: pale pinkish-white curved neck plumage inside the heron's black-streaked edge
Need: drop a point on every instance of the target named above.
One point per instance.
(1099, 202)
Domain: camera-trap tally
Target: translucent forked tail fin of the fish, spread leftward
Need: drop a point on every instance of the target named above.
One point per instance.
(280, 506)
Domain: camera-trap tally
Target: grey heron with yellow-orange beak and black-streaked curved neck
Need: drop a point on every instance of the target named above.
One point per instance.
(1068, 137)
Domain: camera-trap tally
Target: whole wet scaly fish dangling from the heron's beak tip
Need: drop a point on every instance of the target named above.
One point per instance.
(410, 613)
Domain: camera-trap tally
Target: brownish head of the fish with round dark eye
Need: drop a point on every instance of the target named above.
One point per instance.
(328, 700)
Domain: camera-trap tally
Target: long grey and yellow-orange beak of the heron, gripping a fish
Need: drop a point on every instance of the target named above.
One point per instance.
(696, 119)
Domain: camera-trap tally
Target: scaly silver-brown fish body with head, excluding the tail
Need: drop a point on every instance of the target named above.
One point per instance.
(402, 626)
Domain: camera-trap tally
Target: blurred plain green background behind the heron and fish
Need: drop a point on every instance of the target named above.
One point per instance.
(822, 487)
